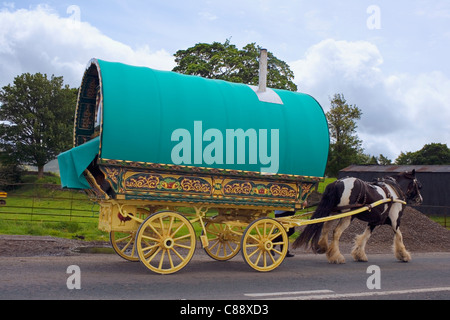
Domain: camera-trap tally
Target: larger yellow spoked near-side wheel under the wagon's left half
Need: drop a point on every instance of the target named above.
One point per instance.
(165, 242)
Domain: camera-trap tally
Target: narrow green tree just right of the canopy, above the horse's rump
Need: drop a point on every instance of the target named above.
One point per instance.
(345, 146)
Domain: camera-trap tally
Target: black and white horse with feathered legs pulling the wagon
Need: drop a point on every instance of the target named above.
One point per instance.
(350, 193)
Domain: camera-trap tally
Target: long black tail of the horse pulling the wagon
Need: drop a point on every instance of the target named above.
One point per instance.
(311, 234)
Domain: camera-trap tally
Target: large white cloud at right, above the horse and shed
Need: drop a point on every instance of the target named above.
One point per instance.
(401, 112)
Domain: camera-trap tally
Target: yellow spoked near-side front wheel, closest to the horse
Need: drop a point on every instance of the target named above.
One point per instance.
(259, 244)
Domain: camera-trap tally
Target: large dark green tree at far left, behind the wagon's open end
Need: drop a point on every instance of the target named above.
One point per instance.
(37, 119)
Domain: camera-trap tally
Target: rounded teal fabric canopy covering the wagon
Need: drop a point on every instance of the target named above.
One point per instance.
(144, 116)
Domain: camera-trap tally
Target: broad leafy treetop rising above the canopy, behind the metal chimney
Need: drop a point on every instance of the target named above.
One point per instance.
(225, 61)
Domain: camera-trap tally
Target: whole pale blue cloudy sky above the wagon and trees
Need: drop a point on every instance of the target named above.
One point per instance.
(390, 58)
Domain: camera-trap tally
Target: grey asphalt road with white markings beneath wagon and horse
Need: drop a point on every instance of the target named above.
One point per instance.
(305, 276)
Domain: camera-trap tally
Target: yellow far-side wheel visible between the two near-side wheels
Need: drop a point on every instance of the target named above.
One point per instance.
(223, 240)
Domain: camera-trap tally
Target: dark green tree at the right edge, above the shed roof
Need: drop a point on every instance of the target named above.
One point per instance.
(430, 154)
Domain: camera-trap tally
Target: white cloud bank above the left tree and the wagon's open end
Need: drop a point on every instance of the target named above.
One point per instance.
(39, 40)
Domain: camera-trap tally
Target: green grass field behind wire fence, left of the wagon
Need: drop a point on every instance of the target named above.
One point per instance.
(39, 207)
